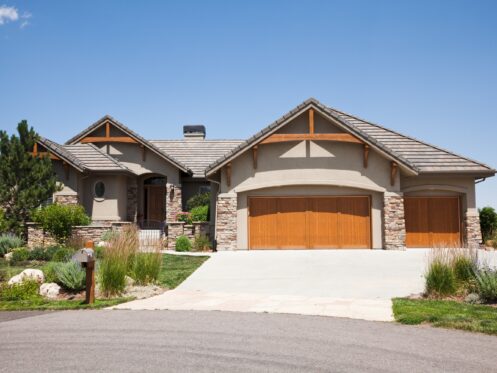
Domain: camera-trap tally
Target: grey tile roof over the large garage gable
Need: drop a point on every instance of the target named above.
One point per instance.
(414, 154)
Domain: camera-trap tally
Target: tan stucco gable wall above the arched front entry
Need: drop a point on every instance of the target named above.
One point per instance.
(130, 155)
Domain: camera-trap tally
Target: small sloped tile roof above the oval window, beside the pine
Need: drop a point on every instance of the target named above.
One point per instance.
(84, 157)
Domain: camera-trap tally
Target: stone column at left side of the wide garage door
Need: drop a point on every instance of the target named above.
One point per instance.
(226, 227)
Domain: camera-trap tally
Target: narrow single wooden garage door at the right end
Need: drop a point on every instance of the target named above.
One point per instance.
(432, 221)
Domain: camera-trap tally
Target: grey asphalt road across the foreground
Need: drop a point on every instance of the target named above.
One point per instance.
(178, 341)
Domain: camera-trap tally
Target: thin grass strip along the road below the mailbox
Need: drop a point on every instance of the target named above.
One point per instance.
(42, 304)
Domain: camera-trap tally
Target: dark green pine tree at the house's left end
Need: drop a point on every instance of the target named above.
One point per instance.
(25, 181)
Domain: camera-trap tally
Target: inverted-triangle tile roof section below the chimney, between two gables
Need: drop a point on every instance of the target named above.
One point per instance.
(196, 154)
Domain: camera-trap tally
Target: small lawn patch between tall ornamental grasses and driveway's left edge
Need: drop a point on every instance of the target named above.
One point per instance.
(176, 268)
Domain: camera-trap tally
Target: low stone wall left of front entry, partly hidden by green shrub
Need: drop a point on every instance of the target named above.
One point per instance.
(37, 237)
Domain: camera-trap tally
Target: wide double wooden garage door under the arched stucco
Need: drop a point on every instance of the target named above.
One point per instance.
(309, 222)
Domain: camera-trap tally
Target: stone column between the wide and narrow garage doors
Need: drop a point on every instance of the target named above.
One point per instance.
(394, 224)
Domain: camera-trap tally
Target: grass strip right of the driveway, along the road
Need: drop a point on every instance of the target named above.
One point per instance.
(446, 314)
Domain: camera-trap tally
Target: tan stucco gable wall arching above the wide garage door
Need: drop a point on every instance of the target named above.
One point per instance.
(310, 163)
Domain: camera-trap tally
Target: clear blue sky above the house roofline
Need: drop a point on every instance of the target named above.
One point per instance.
(424, 68)
